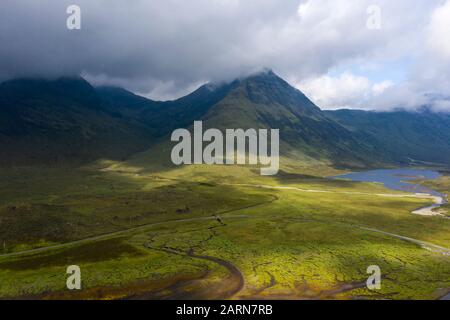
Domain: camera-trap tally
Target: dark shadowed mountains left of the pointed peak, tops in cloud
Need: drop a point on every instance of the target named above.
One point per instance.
(67, 121)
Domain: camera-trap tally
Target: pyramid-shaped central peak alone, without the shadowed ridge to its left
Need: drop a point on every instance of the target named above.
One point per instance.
(265, 100)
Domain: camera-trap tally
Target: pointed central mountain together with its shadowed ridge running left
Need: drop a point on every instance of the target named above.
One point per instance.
(262, 100)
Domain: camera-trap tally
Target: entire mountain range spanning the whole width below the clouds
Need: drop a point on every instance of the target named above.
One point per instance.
(69, 121)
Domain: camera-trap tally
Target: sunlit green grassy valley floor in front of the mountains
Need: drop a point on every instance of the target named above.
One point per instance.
(142, 231)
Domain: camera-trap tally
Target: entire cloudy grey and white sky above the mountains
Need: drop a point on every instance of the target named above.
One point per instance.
(166, 48)
